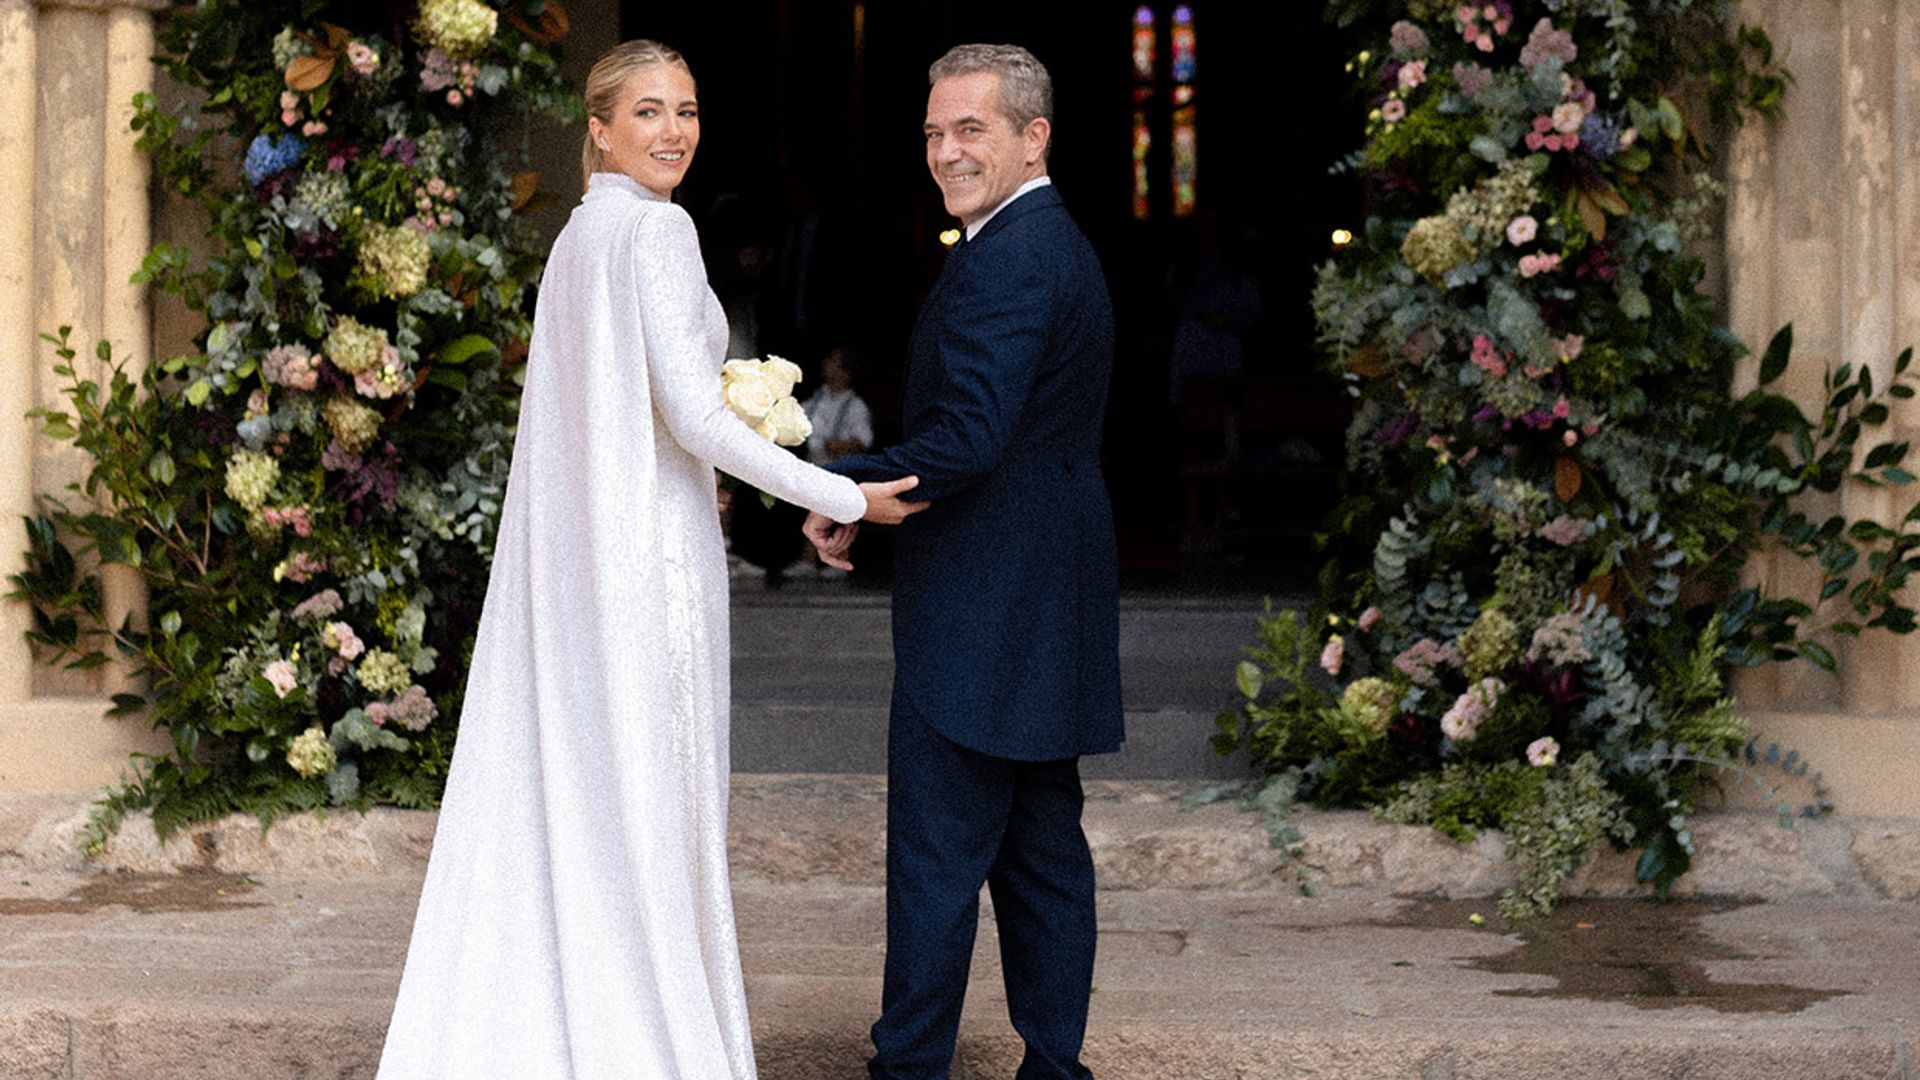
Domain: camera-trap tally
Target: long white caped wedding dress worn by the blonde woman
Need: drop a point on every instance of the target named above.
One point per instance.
(577, 921)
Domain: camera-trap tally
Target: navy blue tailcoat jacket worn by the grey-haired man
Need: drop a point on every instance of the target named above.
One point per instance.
(1005, 595)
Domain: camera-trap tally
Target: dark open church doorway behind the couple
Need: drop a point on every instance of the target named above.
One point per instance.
(813, 168)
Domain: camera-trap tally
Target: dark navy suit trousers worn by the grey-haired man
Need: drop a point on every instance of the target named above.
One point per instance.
(959, 820)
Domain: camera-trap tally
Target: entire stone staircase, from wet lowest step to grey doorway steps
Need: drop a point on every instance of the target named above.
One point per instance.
(229, 954)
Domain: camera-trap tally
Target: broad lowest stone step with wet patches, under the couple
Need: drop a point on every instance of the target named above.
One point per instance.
(212, 977)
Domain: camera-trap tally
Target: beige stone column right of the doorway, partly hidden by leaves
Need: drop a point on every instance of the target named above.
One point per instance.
(1823, 235)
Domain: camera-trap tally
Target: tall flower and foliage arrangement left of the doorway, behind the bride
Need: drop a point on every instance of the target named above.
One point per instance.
(312, 495)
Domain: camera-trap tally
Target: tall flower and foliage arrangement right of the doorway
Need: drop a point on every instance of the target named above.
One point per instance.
(1535, 591)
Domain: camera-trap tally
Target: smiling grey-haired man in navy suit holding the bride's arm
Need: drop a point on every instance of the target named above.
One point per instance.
(1005, 599)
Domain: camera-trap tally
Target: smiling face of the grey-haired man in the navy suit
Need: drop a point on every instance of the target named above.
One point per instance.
(974, 153)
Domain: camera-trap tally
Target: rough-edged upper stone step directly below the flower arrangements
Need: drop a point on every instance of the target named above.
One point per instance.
(830, 829)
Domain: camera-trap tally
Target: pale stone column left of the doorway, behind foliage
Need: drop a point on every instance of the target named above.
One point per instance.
(68, 76)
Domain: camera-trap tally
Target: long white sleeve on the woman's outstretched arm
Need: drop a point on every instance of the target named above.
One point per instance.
(686, 378)
